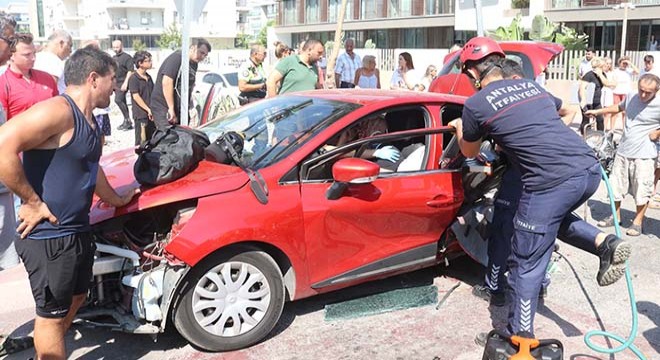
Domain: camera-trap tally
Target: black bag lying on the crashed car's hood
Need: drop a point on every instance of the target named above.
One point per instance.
(171, 153)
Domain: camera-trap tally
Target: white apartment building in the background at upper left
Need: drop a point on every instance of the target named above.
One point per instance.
(129, 20)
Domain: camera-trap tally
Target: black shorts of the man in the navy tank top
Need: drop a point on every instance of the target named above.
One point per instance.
(59, 268)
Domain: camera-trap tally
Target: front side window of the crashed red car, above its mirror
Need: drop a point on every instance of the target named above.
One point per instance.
(395, 154)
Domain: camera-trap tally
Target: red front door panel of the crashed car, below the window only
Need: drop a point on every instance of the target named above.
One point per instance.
(375, 221)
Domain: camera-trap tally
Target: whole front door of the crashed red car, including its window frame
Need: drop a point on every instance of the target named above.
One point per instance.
(388, 225)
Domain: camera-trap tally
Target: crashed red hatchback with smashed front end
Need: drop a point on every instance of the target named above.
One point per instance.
(329, 189)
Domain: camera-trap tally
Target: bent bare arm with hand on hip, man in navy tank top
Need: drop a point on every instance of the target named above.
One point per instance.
(41, 126)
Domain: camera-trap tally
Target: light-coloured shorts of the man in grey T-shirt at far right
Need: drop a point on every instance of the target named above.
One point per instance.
(634, 177)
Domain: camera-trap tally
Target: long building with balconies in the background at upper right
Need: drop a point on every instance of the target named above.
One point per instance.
(440, 23)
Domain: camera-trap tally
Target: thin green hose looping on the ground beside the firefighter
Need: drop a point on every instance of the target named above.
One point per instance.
(625, 343)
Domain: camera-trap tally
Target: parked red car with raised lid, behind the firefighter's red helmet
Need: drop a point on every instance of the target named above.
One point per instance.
(533, 55)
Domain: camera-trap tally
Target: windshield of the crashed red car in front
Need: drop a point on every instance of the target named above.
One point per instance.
(274, 128)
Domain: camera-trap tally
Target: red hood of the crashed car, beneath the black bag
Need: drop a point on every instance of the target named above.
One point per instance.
(208, 178)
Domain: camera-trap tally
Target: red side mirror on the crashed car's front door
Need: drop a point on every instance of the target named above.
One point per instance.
(351, 171)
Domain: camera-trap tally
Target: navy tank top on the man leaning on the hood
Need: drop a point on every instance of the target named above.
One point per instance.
(65, 178)
